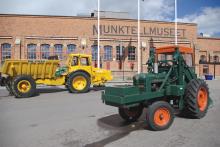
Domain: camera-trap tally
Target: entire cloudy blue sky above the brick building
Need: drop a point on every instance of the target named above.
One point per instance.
(206, 13)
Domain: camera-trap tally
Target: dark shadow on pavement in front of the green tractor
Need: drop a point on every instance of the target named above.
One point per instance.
(118, 129)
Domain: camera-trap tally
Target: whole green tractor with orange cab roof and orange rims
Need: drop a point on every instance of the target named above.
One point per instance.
(170, 86)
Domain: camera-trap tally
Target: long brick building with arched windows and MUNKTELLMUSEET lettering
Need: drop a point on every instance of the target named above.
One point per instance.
(37, 37)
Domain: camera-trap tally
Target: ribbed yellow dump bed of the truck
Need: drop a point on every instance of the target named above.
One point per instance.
(38, 69)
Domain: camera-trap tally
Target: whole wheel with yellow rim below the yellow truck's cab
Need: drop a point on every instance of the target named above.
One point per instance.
(78, 82)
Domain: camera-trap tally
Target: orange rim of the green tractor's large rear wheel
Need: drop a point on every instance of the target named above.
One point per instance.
(202, 99)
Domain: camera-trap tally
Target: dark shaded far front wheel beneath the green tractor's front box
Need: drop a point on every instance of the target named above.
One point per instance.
(131, 114)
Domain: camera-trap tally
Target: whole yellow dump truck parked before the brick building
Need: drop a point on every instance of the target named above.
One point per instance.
(21, 76)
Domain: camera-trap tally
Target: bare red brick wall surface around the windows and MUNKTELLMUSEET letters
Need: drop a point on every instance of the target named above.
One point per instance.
(75, 28)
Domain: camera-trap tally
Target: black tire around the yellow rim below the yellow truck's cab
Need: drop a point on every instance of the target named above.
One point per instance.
(73, 76)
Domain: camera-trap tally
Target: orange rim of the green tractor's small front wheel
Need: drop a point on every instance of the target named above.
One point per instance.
(162, 117)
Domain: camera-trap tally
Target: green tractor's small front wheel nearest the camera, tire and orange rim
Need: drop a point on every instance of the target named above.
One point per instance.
(160, 116)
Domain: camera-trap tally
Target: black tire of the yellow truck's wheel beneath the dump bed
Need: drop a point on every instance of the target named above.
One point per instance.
(23, 94)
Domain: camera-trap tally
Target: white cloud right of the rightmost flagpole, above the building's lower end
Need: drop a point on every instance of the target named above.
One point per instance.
(208, 20)
